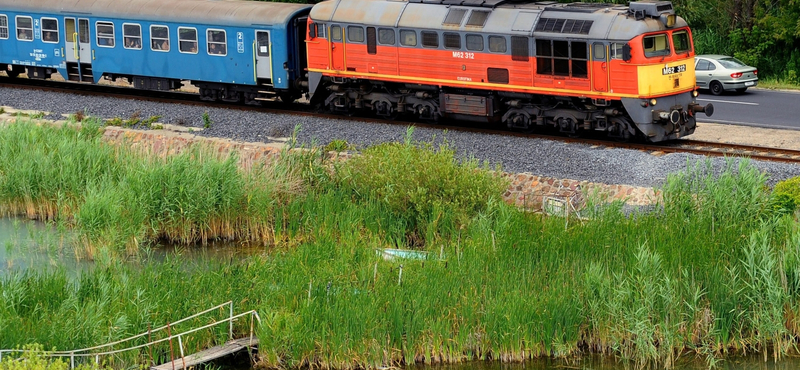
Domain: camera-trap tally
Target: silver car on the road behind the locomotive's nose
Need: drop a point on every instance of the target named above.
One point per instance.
(719, 73)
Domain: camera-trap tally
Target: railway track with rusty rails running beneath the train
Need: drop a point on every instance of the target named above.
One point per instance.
(705, 148)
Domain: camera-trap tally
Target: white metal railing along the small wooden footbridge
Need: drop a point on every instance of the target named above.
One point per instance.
(92, 351)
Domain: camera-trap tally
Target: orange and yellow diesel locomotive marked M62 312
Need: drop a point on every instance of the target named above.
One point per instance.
(626, 71)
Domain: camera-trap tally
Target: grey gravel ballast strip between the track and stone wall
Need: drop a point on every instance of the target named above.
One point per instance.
(537, 156)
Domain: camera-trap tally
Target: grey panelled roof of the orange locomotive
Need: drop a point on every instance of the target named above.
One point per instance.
(545, 18)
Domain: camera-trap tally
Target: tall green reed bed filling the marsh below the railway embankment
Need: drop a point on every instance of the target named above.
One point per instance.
(714, 270)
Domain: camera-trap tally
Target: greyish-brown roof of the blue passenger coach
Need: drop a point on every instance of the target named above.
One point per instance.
(231, 13)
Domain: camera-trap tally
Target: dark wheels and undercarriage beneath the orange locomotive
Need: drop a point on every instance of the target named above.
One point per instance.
(517, 111)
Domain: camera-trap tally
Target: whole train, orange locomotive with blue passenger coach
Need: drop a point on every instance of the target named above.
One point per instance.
(620, 71)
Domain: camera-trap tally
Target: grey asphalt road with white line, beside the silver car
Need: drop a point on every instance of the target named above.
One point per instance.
(755, 107)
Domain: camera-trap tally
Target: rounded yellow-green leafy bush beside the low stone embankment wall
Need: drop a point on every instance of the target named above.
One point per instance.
(426, 186)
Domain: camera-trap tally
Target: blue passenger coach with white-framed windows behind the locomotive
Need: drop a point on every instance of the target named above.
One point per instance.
(231, 50)
